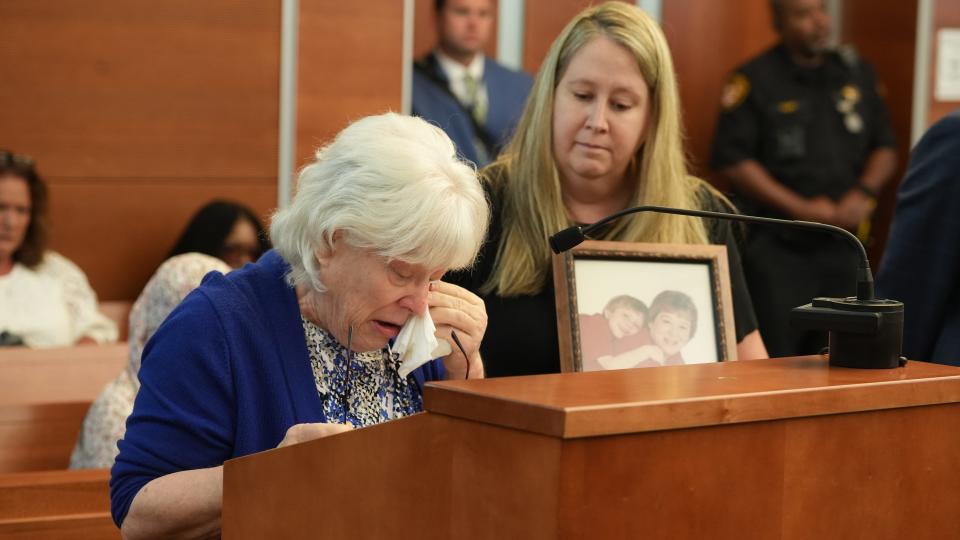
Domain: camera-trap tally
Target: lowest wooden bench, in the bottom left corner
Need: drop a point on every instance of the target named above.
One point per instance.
(56, 505)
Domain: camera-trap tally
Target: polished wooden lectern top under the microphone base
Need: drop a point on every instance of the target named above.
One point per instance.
(628, 401)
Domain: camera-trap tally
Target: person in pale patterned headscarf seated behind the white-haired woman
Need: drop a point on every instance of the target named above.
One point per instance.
(106, 420)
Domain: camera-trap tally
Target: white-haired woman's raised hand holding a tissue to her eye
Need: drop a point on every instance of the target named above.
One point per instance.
(455, 308)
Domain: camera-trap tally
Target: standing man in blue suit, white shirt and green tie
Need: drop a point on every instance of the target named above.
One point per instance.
(474, 99)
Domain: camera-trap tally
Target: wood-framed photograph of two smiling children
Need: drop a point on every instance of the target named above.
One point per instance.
(624, 305)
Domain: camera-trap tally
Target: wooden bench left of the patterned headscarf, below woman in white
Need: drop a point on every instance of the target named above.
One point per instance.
(44, 395)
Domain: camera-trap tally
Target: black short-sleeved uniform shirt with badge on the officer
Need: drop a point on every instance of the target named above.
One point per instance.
(811, 128)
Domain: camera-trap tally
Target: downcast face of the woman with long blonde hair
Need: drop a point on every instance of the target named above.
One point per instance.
(600, 113)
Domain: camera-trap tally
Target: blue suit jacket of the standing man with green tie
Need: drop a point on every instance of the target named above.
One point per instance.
(506, 91)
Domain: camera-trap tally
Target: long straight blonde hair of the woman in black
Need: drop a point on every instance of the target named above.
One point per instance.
(526, 175)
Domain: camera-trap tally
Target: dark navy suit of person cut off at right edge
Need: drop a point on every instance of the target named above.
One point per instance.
(921, 263)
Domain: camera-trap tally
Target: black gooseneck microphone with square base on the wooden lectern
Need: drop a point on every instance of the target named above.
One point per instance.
(864, 332)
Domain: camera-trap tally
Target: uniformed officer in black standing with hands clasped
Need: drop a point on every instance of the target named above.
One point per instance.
(804, 134)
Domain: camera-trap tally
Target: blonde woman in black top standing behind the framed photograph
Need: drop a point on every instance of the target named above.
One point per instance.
(601, 132)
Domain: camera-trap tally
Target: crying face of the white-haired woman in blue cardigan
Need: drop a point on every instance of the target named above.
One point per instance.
(374, 295)
